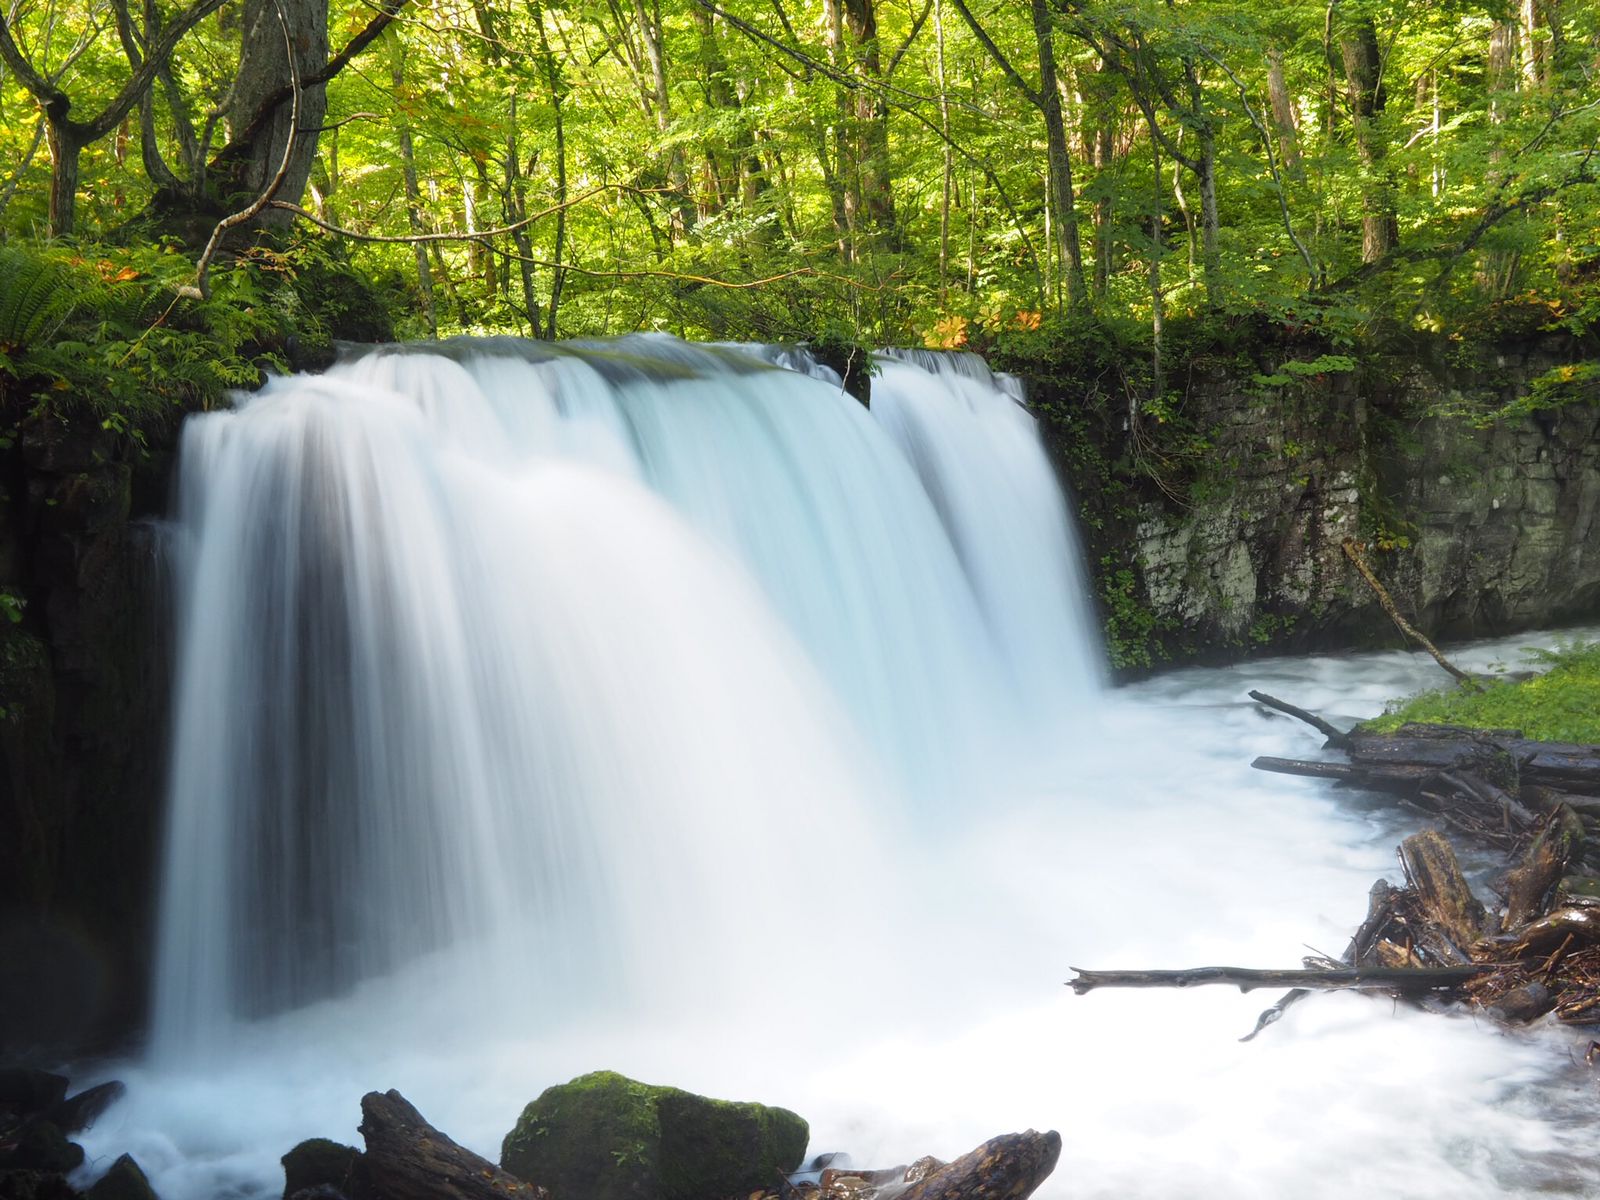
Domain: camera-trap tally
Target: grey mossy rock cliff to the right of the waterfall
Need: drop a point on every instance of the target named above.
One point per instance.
(1474, 530)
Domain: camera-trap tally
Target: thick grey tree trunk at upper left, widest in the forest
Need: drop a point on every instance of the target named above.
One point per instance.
(263, 73)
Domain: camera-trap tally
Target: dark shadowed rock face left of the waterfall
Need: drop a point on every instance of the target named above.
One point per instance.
(82, 732)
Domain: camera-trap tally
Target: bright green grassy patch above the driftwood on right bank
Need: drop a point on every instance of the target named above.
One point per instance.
(1559, 705)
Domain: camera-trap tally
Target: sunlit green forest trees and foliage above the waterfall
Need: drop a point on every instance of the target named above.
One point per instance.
(897, 170)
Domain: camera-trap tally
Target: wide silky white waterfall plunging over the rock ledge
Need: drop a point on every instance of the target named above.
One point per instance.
(521, 654)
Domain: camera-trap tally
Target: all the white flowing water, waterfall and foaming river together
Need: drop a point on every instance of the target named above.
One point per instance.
(548, 716)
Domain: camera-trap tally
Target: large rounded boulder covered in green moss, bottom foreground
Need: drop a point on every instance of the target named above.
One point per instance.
(606, 1137)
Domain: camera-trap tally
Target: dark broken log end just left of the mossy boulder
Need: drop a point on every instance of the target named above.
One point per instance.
(407, 1159)
